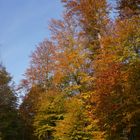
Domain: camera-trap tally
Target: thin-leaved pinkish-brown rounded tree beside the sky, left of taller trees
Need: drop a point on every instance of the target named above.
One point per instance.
(41, 65)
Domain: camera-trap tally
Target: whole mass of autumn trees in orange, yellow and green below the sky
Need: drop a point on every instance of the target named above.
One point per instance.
(84, 82)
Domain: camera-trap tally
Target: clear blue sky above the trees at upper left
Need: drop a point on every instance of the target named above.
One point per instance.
(23, 24)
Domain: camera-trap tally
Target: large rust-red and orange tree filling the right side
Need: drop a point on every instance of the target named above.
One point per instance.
(115, 92)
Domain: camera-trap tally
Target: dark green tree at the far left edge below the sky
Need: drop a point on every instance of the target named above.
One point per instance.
(10, 124)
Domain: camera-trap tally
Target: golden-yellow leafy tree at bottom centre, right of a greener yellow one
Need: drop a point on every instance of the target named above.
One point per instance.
(76, 124)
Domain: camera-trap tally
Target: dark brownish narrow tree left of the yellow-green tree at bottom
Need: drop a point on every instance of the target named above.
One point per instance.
(28, 110)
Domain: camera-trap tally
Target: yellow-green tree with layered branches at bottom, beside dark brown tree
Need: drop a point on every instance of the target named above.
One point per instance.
(50, 110)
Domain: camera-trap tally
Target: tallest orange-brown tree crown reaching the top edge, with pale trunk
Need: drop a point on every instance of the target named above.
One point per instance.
(92, 16)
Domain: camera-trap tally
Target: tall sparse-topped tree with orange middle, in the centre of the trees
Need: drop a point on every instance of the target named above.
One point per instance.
(71, 65)
